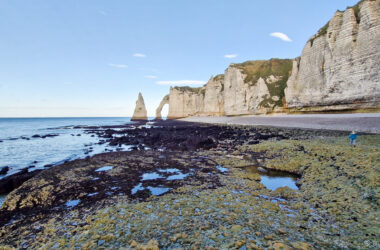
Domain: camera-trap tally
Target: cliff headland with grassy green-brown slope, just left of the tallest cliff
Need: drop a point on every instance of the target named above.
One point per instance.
(256, 87)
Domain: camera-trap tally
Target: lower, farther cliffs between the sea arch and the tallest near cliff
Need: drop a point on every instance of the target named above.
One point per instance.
(253, 87)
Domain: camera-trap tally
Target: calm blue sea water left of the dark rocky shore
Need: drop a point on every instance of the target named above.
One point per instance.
(17, 152)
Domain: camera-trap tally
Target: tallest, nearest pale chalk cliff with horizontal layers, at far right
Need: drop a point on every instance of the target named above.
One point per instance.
(340, 65)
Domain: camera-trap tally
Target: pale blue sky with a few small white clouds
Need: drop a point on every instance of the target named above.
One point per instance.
(92, 57)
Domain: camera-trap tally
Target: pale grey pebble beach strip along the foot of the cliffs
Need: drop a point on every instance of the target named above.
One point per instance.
(362, 122)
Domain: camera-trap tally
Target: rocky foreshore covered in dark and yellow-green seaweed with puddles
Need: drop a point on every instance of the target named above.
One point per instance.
(201, 186)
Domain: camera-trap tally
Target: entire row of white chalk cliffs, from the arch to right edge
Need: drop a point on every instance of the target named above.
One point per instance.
(339, 69)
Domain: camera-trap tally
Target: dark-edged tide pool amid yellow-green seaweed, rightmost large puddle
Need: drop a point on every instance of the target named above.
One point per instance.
(273, 179)
